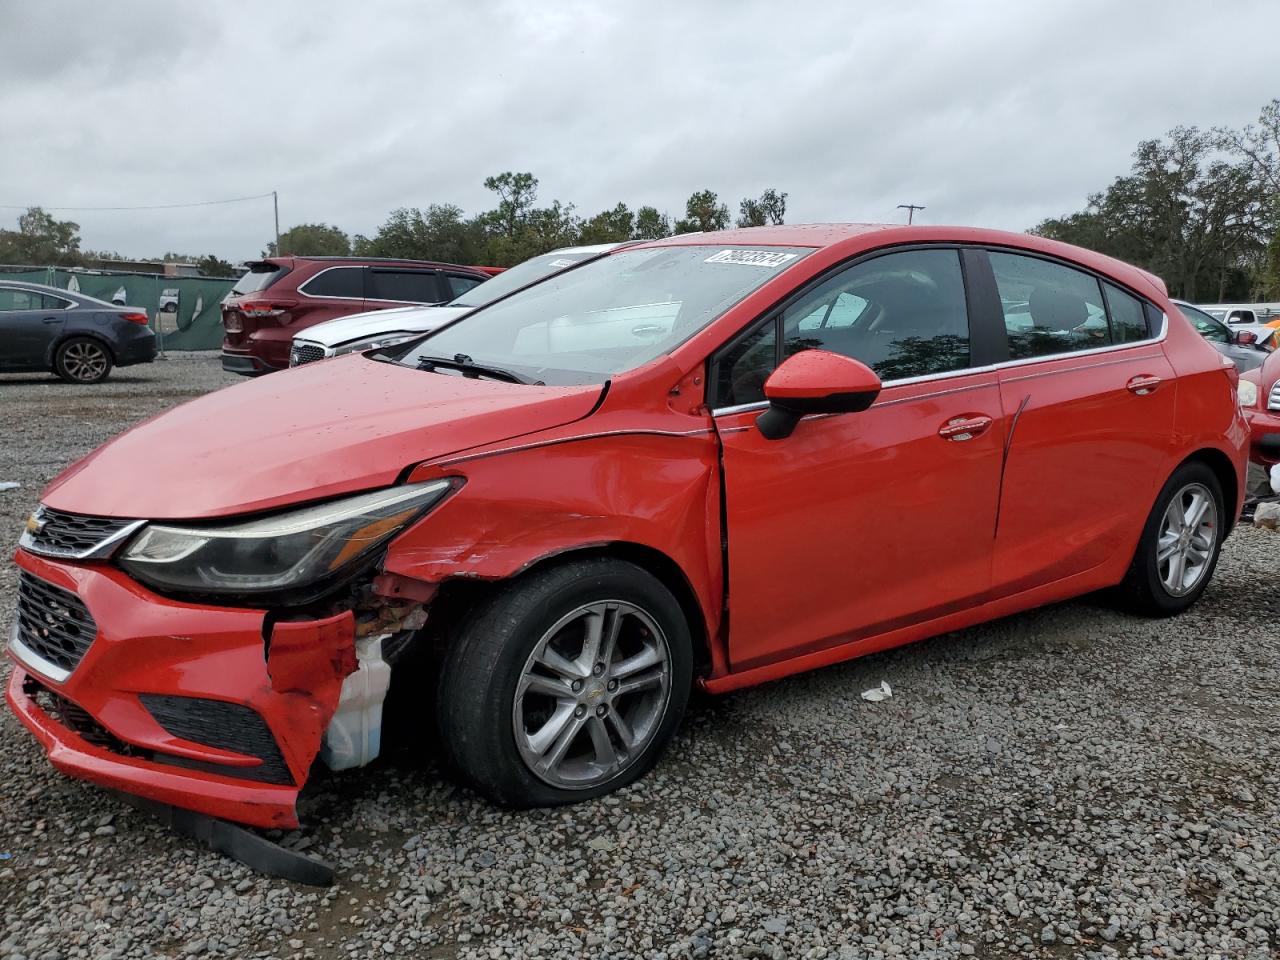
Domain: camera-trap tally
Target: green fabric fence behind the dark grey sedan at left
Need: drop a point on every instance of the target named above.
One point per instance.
(194, 322)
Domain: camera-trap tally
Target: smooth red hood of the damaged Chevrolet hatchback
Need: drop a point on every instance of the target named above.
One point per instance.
(303, 435)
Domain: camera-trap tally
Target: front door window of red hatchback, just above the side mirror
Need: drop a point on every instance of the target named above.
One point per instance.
(902, 314)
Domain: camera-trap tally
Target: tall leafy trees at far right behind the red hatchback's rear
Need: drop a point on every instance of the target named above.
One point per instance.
(1199, 208)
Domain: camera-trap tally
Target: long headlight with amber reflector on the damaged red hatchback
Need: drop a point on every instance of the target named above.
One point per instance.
(281, 554)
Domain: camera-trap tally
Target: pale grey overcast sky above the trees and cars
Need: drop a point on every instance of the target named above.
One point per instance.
(991, 115)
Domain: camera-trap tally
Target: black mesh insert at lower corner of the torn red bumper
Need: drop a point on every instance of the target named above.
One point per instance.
(223, 725)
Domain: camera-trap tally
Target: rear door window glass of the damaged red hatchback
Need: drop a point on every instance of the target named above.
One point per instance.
(1049, 308)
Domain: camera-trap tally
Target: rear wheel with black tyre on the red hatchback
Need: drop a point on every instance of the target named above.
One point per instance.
(1180, 546)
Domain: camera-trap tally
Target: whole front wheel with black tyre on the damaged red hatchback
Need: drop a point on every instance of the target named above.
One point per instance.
(566, 685)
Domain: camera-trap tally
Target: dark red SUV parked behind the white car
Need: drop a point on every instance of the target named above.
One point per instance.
(281, 296)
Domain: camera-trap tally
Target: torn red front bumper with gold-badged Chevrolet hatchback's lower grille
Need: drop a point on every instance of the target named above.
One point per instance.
(207, 708)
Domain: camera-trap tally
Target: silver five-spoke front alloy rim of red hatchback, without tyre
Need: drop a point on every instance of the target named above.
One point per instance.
(592, 694)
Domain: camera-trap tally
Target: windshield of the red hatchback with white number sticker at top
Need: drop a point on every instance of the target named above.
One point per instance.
(615, 314)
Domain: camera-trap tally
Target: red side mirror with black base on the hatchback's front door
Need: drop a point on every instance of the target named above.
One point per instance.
(815, 382)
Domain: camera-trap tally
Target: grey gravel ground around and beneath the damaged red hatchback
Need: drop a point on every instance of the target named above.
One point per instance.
(1067, 783)
